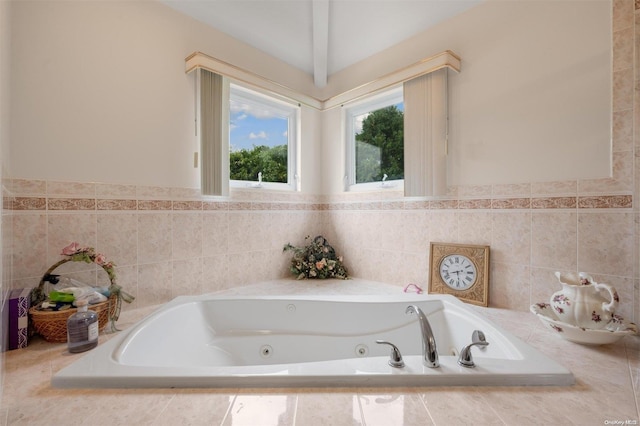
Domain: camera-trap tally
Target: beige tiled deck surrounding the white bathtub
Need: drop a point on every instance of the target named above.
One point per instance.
(607, 389)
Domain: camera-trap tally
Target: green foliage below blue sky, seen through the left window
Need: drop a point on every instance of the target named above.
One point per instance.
(272, 162)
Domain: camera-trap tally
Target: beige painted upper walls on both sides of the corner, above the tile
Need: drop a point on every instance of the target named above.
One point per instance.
(105, 83)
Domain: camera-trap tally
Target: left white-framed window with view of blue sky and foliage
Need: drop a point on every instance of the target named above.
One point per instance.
(262, 140)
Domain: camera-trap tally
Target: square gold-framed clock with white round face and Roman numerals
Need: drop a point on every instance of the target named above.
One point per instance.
(461, 270)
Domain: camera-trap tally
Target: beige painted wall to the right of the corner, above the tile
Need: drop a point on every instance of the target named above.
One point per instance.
(532, 102)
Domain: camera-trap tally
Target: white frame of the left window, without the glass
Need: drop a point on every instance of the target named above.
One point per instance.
(282, 106)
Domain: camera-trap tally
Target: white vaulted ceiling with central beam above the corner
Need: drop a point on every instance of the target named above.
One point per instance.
(321, 37)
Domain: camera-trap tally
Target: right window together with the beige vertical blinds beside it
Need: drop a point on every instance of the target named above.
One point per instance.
(398, 138)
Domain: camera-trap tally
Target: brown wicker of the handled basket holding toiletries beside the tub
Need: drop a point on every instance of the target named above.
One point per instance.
(52, 325)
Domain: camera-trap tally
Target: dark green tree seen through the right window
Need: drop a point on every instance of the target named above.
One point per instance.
(380, 146)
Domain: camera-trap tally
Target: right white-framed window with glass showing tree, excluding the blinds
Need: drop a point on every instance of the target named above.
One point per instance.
(375, 142)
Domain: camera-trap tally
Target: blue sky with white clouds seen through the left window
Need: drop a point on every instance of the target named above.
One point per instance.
(251, 126)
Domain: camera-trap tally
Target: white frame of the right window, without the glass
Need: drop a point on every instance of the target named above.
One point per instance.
(379, 100)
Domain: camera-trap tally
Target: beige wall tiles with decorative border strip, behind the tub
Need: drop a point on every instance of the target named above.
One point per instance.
(171, 241)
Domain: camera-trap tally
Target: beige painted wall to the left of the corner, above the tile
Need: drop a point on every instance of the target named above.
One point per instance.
(101, 94)
